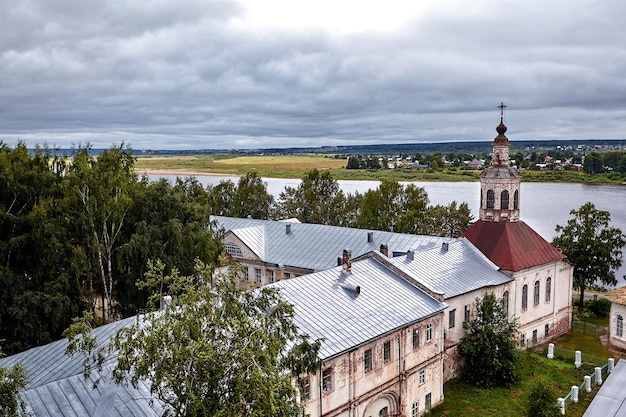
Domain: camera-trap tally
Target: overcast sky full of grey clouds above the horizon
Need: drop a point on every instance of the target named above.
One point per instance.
(241, 74)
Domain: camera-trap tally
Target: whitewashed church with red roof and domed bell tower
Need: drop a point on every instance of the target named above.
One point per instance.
(542, 293)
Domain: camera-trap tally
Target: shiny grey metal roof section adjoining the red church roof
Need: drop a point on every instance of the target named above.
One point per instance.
(458, 270)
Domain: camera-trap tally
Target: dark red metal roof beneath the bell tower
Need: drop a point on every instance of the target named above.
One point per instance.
(512, 246)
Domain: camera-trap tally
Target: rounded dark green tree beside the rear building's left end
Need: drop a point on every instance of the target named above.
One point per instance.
(167, 221)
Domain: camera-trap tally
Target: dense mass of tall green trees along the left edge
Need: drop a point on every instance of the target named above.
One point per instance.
(80, 229)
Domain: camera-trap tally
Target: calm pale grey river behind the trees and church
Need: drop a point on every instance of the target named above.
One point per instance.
(543, 206)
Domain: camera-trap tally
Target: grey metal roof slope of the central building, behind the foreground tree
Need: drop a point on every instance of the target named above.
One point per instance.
(325, 309)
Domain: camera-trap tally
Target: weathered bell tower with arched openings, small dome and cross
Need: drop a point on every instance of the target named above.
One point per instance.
(500, 183)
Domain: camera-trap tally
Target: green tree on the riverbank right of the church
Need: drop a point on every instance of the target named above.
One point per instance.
(592, 246)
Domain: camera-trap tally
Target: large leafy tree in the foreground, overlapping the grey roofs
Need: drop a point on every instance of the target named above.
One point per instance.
(219, 351)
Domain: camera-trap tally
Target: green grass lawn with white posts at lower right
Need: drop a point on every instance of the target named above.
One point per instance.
(560, 373)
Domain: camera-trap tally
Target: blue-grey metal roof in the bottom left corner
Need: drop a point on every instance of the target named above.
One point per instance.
(56, 386)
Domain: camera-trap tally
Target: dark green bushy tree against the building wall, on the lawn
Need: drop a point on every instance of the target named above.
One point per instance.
(488, 346)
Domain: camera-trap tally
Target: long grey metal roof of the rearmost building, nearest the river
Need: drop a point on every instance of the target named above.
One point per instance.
(316, 246)
